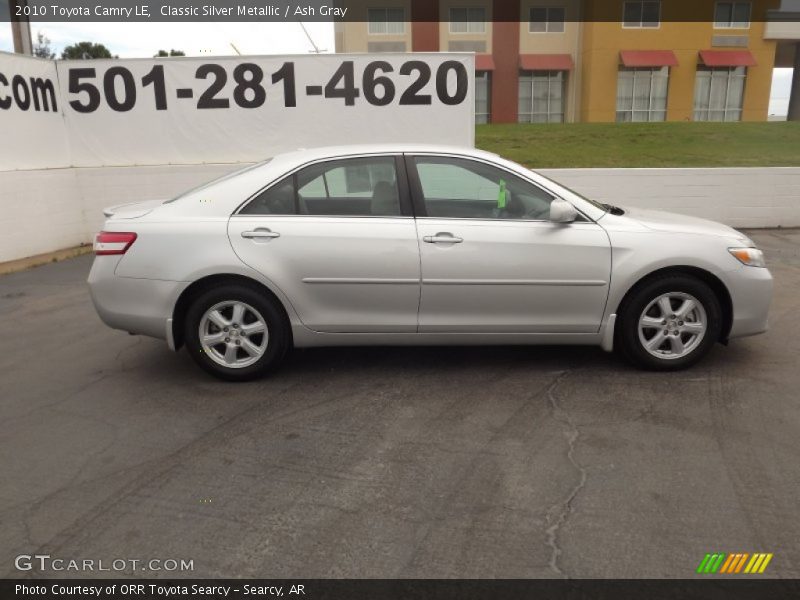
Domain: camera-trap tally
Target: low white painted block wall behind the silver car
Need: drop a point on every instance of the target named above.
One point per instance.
(47, 210)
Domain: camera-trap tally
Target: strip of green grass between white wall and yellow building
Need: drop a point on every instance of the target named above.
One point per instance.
(775, 144)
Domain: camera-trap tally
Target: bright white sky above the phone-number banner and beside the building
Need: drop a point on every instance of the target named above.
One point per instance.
(137, 40)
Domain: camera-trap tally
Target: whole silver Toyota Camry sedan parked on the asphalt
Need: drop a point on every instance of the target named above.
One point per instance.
(413, 245)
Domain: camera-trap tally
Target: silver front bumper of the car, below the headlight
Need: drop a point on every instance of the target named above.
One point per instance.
(751, 294)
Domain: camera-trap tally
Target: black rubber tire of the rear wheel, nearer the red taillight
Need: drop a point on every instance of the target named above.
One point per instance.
(277, 330)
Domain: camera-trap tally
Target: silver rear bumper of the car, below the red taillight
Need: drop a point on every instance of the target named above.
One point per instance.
(140, 306)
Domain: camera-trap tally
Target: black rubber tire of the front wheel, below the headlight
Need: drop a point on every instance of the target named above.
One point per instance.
(628, 338)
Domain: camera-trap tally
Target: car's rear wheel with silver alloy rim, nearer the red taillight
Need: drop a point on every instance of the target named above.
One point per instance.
(236, 333)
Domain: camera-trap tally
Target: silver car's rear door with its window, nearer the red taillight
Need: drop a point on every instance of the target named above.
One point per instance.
(338, 238)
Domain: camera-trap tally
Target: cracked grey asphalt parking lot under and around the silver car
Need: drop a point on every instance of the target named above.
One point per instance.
(393, 462)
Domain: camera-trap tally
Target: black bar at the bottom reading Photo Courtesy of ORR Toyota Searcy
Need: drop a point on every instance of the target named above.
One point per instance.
(733, 588)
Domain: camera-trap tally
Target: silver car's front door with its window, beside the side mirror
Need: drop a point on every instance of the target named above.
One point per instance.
(492, 262)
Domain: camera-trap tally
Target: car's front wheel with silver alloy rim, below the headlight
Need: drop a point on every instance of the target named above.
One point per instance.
(669, 322)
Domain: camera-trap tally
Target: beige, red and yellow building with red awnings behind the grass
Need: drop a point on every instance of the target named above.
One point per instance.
(578, 60)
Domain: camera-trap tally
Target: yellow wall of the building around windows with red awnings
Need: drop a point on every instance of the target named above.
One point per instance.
(603, 41)
